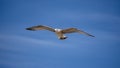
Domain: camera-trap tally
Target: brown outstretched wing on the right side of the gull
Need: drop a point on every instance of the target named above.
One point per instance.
(73, 30)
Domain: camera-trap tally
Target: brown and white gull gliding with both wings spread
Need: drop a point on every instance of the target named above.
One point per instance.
(59, 32)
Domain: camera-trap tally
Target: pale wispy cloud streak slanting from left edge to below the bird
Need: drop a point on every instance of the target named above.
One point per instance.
(28, 40)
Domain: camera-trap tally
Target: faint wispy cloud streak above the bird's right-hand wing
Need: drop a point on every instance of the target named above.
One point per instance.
(75, 15)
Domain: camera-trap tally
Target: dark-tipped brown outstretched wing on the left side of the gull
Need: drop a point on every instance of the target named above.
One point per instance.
(40, 27)
